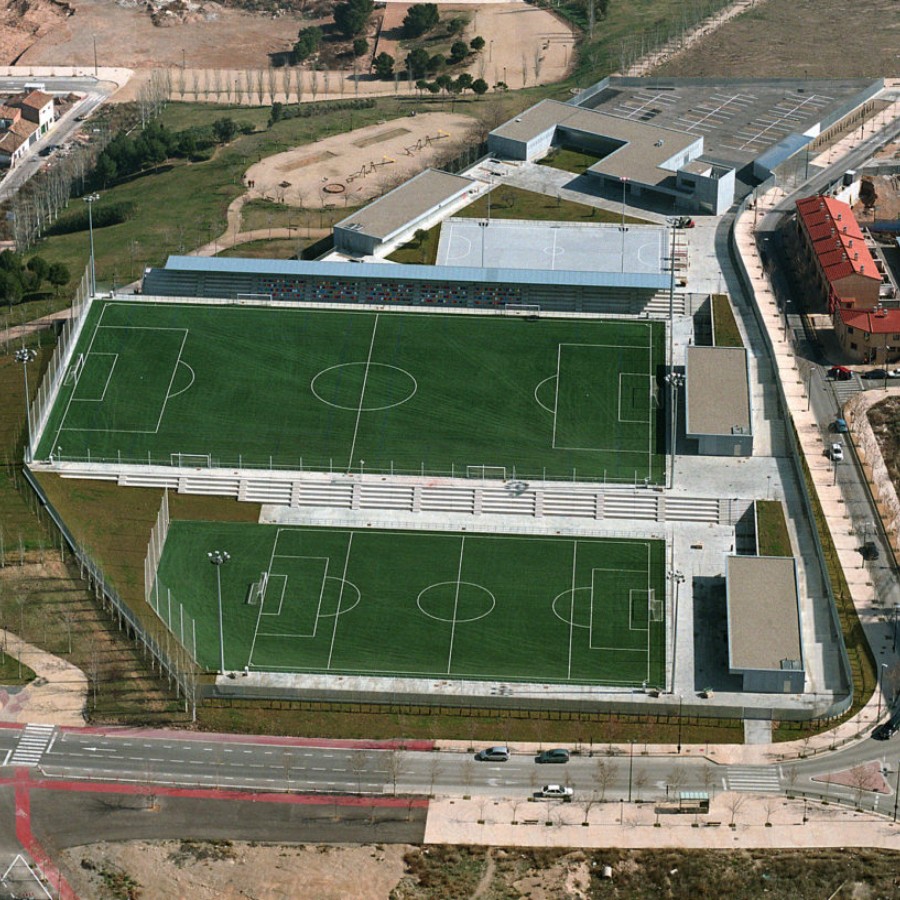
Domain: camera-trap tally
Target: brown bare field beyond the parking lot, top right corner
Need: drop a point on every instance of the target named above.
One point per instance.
(799, 38)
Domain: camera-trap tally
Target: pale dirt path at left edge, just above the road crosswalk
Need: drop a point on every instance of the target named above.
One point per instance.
(57, 696)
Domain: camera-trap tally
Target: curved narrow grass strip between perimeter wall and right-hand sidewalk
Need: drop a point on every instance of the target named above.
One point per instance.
(862, 662)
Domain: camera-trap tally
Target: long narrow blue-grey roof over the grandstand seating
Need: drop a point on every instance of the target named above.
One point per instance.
(292, 267)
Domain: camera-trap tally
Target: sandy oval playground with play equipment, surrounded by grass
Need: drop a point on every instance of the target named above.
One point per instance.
(345, 170)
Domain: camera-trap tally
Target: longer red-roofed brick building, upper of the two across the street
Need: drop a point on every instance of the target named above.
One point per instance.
(836, 254)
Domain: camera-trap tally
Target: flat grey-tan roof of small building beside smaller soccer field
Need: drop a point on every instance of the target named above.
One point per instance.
(763, 613)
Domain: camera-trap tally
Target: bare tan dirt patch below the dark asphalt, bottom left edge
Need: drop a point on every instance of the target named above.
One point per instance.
(226, 871)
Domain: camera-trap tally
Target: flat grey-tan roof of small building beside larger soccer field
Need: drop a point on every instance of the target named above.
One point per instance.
(717, 391)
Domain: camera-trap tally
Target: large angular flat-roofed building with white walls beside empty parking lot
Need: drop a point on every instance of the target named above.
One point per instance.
(634, 156)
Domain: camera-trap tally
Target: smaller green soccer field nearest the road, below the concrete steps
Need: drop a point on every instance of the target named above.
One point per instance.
(419, 604)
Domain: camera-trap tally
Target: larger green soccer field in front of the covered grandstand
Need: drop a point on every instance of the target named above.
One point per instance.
(352, 391)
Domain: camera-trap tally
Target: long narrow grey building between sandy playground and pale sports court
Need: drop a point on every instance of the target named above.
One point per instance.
(399, 212)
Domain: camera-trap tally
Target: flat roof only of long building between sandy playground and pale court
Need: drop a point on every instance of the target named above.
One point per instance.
(410, 201)
